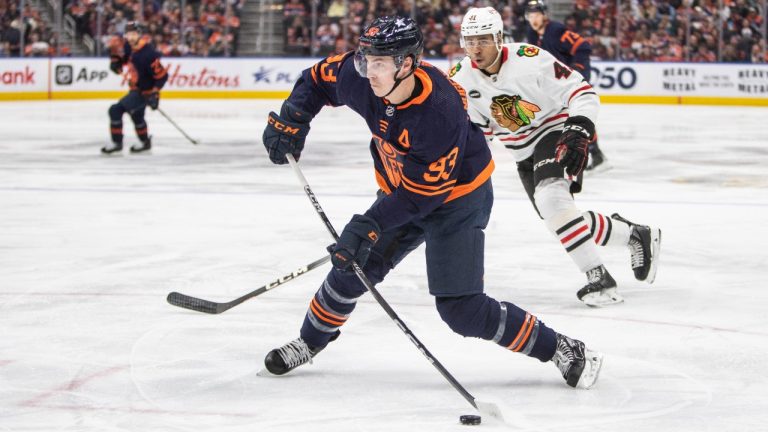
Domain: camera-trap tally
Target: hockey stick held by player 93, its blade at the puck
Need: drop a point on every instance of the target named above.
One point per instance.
(486, 408)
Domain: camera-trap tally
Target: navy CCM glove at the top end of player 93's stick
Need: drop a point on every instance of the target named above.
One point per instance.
(285, 133)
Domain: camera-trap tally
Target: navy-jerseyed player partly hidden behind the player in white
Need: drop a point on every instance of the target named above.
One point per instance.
(569, 48)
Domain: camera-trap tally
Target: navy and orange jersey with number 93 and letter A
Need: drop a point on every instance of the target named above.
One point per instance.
(425, 150)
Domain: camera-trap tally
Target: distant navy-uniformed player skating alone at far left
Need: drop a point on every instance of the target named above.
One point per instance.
(146, 76)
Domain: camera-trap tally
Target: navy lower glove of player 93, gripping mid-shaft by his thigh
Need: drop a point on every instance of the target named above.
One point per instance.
(355, 242)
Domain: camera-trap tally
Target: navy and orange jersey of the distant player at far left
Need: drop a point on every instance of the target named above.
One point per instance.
(145, 72)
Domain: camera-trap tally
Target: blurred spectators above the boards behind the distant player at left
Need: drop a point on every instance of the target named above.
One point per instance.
(207, 28)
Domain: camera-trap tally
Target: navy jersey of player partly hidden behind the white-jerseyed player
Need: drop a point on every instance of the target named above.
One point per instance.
(565, 45)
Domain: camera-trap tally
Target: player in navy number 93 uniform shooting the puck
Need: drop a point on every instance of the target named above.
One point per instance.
(433, 170)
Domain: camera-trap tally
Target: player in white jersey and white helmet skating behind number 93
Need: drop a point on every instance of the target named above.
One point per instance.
(544, 112)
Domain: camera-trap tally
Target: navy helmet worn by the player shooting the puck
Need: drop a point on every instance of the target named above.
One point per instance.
(394, 36)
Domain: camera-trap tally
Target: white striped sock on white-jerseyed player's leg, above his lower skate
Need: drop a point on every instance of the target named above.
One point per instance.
(570, 227)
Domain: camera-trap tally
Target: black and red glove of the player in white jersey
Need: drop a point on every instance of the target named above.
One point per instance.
(571, 151)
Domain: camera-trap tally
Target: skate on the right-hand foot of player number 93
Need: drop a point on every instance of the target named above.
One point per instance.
(579, 366)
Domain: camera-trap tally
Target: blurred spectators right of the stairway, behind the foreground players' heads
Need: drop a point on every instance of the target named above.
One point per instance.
(641, 30)
